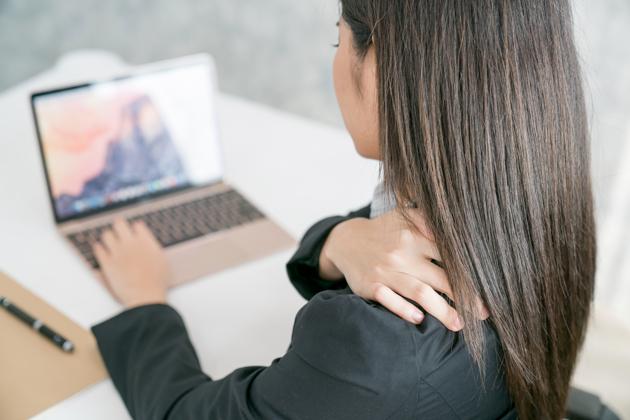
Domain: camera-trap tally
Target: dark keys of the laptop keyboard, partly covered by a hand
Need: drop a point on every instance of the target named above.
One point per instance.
(183, 222)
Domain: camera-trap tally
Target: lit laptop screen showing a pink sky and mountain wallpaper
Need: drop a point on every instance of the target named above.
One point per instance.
(109, 144)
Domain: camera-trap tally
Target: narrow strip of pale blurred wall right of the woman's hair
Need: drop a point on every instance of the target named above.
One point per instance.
(603, 31)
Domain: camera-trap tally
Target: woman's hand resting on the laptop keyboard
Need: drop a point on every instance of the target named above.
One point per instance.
(133, 263)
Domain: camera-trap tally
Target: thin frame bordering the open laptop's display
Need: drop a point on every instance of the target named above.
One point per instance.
(142, 71)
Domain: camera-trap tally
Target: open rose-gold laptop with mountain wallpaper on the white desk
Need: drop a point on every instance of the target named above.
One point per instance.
(145, 146)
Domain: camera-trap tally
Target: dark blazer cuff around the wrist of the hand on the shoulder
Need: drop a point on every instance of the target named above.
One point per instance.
(303, 267)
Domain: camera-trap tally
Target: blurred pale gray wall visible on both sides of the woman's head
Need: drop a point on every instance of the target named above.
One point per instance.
(279, 52)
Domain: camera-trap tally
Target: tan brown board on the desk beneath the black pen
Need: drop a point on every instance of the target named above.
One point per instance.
(34, 374)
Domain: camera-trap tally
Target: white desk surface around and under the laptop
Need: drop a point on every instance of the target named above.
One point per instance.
(295, 170)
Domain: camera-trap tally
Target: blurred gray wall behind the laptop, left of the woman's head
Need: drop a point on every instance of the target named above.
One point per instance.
(273, 51)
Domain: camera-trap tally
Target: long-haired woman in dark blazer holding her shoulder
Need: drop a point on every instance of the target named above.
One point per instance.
(476, 112)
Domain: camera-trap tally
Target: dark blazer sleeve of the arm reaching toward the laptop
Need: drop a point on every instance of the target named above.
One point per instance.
(332, 370)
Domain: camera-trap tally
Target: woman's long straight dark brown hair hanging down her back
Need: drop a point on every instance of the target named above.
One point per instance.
(482, 123)
